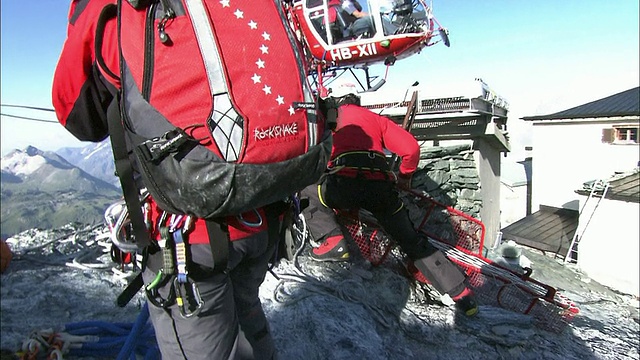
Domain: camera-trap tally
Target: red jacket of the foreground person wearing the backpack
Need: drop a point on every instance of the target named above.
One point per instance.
(81, 87)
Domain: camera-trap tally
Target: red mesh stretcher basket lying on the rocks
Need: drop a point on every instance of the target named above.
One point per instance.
(461, 238)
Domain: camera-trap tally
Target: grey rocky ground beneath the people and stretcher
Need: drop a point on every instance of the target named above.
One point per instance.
(323, 311)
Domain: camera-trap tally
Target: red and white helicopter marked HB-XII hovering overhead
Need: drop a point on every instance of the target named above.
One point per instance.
(381, 32)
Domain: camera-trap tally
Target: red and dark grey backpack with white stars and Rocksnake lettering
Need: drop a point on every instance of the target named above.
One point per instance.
(215, 105)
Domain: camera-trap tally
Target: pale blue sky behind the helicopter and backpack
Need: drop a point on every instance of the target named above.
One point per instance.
(542, 56)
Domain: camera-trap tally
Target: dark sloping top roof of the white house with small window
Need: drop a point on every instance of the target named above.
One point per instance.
(626, 103)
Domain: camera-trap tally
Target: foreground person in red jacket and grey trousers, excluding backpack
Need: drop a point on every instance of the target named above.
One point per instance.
(231, 323)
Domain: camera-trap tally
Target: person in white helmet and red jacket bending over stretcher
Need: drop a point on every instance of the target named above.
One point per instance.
(359, 177)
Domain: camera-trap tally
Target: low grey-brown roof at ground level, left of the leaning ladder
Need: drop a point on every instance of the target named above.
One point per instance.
(550, 229)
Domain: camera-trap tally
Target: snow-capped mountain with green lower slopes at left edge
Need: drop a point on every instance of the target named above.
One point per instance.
(41, 189)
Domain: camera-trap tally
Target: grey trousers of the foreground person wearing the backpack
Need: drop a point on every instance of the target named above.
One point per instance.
(232, 324)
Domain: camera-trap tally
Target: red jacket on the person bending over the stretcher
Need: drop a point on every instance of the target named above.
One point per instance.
(360, 129)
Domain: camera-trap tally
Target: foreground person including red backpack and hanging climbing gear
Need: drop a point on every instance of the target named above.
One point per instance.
(211, 118)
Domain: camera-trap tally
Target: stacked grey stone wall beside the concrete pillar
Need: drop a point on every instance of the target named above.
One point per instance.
(450, 176)
